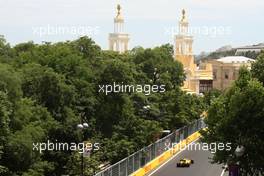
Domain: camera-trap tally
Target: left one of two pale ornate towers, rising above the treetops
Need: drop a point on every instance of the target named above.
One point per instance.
(118, 41)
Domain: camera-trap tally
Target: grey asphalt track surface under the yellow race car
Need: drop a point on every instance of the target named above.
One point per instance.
(201, 166)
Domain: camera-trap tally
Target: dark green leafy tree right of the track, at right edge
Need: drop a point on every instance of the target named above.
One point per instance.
(236, 117)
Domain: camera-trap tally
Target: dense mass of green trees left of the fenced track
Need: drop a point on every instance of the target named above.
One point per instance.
(45, 89)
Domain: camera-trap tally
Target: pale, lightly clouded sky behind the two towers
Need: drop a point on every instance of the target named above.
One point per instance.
(150, 23)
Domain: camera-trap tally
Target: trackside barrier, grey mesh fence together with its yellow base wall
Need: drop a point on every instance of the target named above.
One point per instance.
(148, 158)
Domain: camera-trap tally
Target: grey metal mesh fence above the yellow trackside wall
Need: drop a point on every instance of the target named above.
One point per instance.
(140, 158)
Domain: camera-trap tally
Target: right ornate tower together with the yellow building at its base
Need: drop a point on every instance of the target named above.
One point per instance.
(198, 78)
